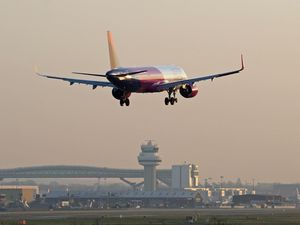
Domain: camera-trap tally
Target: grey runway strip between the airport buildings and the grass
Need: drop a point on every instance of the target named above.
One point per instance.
(41, 215)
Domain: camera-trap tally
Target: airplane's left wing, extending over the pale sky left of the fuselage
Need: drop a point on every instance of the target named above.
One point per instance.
(72, 81)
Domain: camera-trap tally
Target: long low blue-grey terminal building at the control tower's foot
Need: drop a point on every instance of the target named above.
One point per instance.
(127, 199)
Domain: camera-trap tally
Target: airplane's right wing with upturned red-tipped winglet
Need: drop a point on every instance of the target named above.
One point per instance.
(176, 84)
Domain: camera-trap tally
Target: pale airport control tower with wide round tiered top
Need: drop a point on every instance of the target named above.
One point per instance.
(149, 159)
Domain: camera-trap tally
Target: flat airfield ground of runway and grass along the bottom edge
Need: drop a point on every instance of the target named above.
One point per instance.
(155, 216)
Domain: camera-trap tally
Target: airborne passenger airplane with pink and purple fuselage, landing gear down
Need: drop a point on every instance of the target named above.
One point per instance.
(149, 79)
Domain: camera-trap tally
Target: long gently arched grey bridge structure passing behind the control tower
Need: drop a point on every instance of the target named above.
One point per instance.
(60, 171)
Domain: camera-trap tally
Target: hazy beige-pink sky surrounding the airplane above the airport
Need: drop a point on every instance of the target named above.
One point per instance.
(244, 126)
